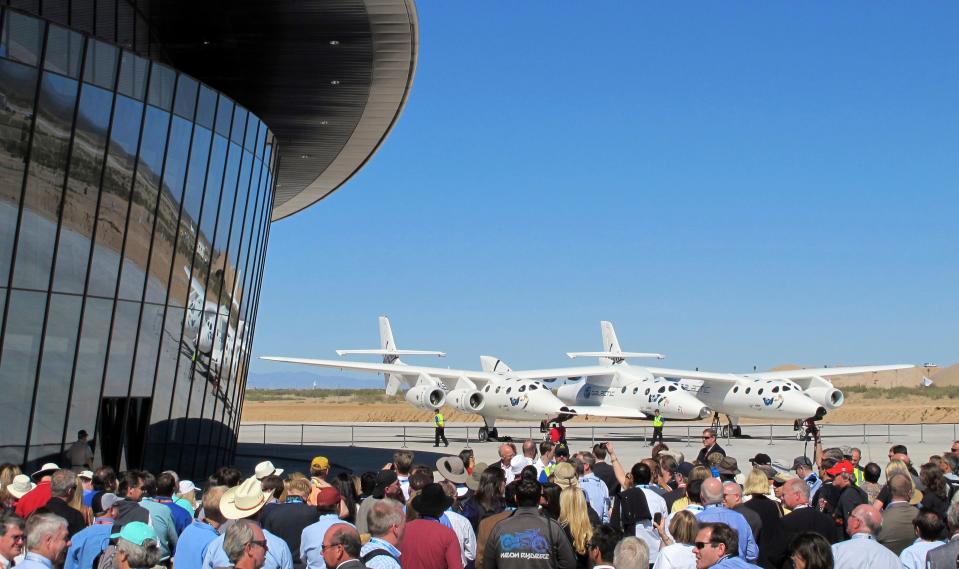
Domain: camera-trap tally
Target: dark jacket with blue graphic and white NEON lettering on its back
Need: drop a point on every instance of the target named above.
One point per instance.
(528, 540)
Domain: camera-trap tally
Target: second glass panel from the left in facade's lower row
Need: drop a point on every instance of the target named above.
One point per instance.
(56, 367)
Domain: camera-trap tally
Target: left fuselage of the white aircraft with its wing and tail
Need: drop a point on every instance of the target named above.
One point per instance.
(492, 395)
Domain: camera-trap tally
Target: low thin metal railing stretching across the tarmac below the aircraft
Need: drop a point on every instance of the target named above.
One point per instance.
(687, 435)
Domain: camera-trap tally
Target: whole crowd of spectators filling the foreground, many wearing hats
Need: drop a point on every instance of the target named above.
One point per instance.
(542, 505)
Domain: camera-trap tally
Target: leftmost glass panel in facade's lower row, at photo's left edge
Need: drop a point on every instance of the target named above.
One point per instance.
(18, 368)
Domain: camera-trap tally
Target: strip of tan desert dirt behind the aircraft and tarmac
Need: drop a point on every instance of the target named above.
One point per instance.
(857, 409)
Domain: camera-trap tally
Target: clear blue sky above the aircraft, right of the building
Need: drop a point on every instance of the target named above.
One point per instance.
(731, 183)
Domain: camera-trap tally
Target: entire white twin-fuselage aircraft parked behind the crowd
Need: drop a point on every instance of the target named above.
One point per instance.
(613, 388)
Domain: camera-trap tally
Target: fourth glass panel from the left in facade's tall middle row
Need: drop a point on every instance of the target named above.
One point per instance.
(115, 197)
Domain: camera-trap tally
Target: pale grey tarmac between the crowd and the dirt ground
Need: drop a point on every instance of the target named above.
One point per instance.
(368, 446)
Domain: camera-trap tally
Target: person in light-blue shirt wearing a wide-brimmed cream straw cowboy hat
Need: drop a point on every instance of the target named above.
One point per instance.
(246, 501)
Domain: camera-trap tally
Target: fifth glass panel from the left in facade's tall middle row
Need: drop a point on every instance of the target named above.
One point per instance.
(143, 204)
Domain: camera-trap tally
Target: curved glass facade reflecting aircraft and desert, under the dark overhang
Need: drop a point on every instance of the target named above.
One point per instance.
(134, 215)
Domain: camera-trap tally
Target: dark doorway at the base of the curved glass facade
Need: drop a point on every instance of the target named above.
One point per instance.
(122, 430)
